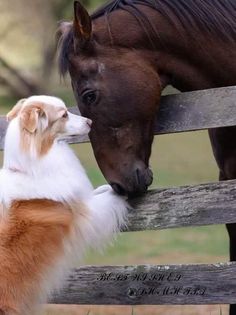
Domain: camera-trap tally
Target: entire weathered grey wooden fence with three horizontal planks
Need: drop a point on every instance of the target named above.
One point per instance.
(205, 204)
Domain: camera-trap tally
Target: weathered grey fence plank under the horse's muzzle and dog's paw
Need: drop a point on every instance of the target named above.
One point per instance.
(203, 204)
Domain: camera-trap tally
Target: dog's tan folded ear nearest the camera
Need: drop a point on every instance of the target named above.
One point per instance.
(29, 118)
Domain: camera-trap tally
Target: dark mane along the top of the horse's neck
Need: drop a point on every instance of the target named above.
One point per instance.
(217, 17)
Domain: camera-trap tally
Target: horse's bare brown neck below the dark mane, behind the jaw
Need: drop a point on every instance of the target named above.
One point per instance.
(195, 62)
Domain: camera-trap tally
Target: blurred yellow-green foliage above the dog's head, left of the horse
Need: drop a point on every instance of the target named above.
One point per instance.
(28, 45)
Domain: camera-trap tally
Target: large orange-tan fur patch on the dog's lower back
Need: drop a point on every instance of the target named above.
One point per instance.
(31, 240)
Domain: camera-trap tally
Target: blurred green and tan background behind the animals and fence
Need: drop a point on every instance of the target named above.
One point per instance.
(28, 66)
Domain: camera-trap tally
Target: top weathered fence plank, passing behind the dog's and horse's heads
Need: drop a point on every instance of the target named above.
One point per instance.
(183, 112)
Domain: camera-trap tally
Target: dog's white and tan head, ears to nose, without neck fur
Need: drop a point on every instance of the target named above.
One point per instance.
(39, 113)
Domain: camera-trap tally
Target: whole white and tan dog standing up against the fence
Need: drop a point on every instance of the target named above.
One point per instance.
(49, 212)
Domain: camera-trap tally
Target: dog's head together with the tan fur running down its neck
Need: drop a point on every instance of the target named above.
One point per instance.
(43, 119)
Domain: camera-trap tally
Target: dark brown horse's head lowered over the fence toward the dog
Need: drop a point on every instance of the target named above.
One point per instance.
(119, 90)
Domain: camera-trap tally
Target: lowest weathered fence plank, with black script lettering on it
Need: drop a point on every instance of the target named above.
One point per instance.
(148, 284)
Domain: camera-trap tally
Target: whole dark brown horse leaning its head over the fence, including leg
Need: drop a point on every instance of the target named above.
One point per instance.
(122, 57)
